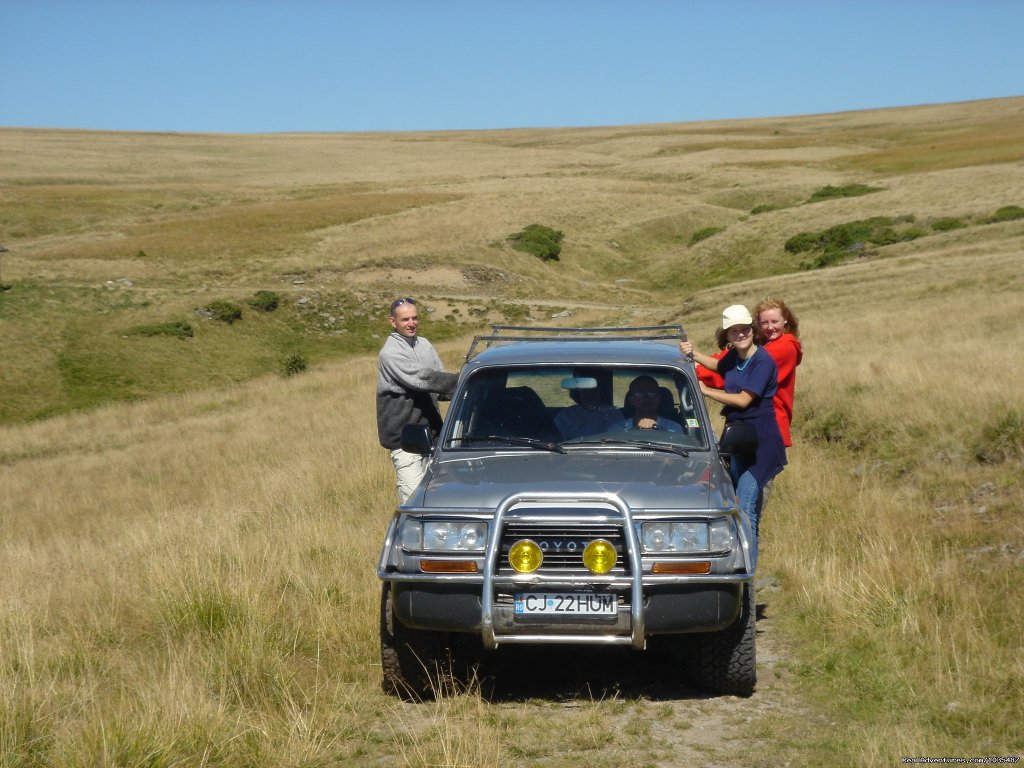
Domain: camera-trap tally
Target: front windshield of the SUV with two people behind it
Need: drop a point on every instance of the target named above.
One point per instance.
(576, 407)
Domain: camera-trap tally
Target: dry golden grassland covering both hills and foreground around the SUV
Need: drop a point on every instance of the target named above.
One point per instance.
(191, 537)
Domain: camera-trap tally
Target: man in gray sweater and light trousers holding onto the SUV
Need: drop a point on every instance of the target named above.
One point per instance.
(410, 379)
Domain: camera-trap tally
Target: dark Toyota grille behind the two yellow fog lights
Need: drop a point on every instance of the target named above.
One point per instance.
(564, 545)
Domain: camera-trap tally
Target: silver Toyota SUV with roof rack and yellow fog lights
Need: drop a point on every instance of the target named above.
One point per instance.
(547, 517)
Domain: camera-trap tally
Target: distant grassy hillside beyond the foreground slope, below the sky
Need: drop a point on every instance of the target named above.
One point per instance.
(112, 234)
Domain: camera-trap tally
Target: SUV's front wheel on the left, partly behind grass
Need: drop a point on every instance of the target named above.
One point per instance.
(416, 664)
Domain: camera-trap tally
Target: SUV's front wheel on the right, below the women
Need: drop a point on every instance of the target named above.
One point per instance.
(727, 661)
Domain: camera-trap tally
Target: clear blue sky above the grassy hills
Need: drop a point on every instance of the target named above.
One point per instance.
(258, 66)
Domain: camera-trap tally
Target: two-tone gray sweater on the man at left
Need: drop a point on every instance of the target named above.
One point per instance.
(410, 378)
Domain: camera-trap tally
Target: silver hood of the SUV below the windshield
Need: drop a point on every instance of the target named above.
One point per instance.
(644, 480)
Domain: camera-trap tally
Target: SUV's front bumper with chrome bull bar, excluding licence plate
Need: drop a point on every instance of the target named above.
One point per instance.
(648, 604)
